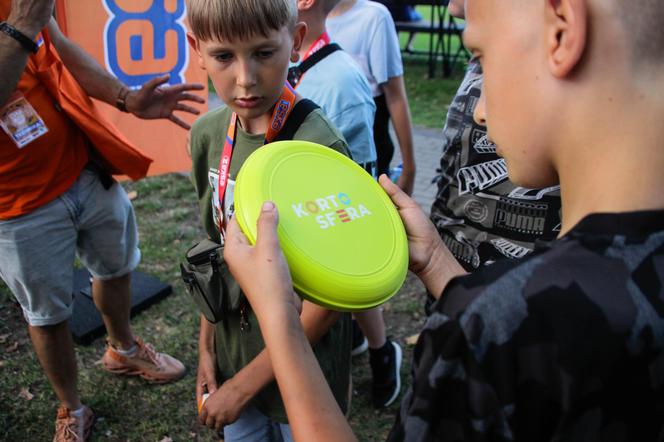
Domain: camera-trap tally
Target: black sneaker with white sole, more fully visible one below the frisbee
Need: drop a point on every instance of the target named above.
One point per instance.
(385, 368)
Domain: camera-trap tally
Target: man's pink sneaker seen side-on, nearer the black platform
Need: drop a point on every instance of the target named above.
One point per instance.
(147, 363)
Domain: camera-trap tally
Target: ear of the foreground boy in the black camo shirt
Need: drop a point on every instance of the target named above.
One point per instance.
(567, 33)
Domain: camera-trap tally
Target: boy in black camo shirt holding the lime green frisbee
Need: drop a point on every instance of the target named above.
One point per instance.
(566, 344)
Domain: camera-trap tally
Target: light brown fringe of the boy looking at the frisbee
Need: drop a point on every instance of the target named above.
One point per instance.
(229, 20)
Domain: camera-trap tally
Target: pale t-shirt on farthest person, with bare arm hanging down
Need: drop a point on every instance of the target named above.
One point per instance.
(367, 32)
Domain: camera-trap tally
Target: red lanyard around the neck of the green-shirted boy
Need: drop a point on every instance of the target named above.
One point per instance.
(282, 110)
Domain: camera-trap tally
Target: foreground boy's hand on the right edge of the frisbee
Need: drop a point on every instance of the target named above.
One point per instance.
(429, 259)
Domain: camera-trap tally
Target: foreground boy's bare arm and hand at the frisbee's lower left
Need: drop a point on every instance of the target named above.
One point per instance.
(314, 413)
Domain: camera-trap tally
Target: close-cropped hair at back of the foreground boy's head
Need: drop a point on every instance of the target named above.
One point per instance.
(643, 21)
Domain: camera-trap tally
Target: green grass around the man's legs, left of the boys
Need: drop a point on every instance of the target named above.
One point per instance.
(129, 409)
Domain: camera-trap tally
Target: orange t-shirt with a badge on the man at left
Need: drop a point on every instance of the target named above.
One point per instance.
(51, 118)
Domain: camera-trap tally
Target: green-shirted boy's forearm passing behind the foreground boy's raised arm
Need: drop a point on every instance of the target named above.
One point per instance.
(316, 321)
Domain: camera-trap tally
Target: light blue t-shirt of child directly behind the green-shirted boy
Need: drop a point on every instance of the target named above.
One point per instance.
(337, 85)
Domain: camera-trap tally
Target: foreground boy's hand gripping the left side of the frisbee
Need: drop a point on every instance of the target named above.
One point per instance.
(261, 270)
